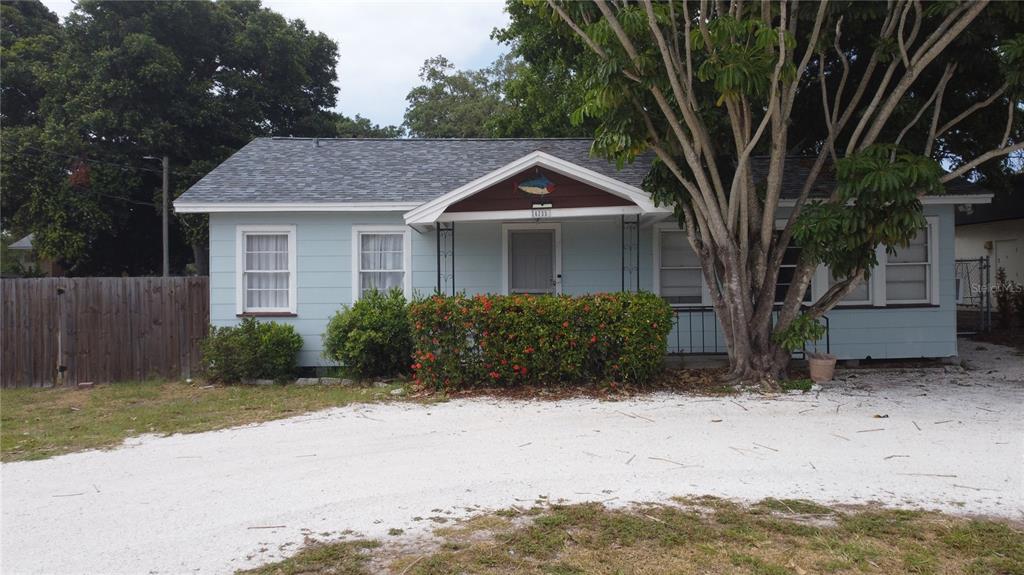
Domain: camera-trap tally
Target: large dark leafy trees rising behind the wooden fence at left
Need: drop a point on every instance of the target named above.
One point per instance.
(125, 80)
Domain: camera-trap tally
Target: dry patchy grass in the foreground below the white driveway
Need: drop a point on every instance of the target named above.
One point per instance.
(697, 536)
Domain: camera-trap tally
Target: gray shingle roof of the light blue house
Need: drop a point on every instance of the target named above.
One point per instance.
(304, 170)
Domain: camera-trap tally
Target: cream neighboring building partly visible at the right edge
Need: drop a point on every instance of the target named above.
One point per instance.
(995, 231)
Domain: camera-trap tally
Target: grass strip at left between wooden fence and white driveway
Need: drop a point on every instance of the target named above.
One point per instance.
(42, 423)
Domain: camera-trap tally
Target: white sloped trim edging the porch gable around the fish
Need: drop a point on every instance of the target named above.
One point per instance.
(430, 212)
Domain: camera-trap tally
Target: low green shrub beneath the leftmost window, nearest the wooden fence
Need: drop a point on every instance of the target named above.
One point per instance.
(252, 350)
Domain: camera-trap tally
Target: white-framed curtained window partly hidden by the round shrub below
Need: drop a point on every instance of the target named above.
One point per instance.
(381, 259)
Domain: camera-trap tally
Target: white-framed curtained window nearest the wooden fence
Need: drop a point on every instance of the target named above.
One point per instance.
(267, 270)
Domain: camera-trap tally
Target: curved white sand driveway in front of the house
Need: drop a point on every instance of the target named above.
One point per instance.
(217, 502)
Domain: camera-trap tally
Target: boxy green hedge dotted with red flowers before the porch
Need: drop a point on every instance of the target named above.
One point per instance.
(519, 340)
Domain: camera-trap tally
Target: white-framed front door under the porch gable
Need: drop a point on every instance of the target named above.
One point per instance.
(532, 260)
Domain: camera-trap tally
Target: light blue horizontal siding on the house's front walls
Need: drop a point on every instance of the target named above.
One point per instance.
(591, 262)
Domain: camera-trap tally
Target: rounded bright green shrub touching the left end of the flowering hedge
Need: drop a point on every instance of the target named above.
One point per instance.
(372, 338)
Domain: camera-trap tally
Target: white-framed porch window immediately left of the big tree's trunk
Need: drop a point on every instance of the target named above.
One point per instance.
(680, 281)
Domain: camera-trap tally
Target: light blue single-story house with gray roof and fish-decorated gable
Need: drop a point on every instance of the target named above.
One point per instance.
(301, 228)
